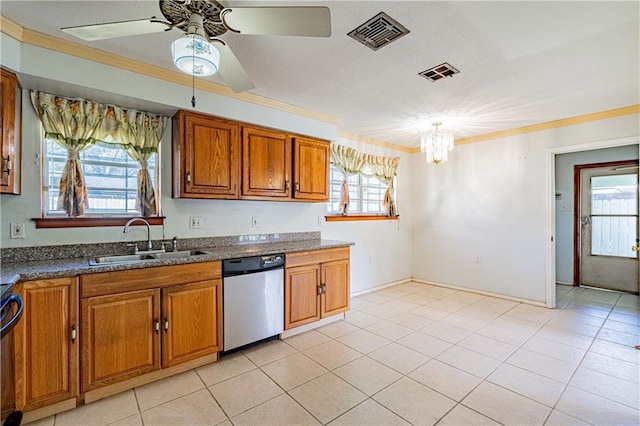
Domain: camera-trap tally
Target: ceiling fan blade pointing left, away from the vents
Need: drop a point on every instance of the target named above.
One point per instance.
(116, 29)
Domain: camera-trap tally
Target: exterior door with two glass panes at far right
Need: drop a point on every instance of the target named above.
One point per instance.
(609, 228)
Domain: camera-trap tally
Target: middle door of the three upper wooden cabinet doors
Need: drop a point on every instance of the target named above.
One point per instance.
(266, 163)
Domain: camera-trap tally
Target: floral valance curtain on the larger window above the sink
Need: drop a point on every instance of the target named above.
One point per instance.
(77, 124)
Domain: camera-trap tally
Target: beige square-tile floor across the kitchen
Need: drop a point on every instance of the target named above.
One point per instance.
(414, 354)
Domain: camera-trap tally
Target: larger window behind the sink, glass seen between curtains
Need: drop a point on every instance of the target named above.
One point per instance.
(110, 176)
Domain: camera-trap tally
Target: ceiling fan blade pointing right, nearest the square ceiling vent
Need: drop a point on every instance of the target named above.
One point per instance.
(311, 21)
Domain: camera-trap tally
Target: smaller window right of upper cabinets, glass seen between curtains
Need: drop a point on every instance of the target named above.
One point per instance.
(366, 193)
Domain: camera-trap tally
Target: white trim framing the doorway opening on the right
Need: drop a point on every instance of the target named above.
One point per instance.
(550, 184)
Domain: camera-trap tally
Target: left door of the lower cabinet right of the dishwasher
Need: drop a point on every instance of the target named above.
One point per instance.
(301, 301)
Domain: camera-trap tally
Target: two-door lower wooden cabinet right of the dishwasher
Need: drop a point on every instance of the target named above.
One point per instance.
(316, 285)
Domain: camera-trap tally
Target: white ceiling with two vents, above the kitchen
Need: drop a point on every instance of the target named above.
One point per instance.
(520, 63)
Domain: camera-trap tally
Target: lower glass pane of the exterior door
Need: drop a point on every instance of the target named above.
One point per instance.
(613, 236)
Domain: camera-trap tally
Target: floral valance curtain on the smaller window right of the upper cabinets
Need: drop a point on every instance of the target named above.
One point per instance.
(351, 162)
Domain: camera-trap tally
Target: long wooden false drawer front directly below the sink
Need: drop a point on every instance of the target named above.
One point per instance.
(104, 283)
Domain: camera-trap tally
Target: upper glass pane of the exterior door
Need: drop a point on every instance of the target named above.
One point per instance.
(616, 194)
